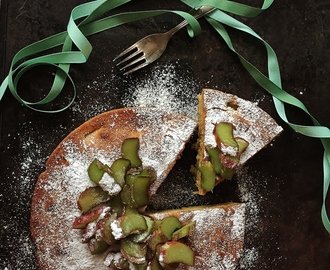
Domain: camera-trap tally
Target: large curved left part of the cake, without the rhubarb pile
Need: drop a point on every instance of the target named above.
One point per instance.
(162, 137)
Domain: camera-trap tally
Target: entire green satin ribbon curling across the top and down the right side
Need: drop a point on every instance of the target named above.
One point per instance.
(91, 23)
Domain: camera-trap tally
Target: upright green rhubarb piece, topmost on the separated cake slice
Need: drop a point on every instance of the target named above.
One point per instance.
(225, 138)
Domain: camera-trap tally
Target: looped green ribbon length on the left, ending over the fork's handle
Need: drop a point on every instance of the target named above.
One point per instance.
(75, 34)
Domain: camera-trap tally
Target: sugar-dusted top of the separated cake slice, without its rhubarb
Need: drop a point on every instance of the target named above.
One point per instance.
(250, 122)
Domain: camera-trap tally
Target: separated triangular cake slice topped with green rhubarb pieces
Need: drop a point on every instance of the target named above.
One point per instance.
(231, 130)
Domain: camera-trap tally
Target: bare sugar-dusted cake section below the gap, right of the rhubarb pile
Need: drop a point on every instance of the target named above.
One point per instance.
(218, 236)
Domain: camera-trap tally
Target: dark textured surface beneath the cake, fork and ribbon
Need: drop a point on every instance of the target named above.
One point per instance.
(289, 233)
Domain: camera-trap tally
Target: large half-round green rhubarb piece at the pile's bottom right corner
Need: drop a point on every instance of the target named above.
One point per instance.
(176, 252)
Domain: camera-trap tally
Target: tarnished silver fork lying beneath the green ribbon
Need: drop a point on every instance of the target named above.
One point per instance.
(150, 48)
